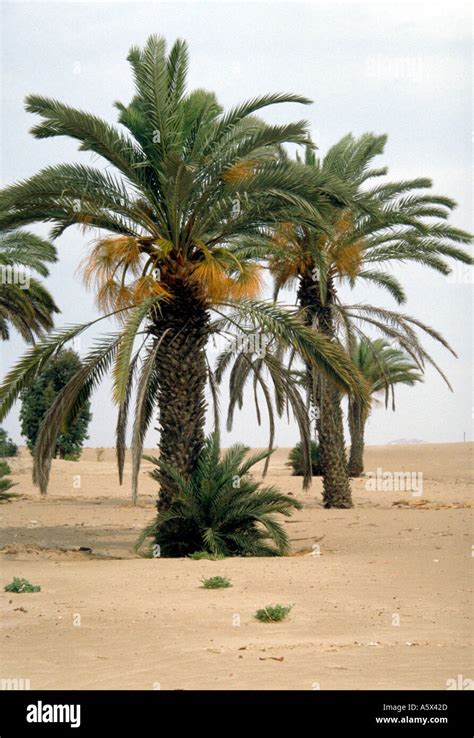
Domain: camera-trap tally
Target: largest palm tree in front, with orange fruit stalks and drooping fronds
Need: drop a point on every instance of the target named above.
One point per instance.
(184, 184)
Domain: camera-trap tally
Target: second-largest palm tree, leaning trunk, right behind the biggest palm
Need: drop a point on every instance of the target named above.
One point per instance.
(385, 223)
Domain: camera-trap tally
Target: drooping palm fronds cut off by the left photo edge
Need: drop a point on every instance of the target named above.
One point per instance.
(24, 303)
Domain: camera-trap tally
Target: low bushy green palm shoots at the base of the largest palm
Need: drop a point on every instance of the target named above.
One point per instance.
(221, 510)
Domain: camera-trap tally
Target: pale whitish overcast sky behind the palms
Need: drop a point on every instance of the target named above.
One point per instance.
(401, 69)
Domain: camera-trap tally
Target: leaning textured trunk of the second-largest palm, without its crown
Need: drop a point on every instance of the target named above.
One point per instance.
(327, 399)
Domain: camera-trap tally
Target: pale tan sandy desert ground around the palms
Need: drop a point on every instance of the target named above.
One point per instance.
(380, 593)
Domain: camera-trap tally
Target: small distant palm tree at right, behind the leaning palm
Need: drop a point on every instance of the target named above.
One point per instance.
(383, 366)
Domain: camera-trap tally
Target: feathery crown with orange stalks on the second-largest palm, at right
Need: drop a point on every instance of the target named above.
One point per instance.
(387, 222)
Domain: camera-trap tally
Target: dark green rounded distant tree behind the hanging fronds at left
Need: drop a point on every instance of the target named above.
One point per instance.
(38, 398)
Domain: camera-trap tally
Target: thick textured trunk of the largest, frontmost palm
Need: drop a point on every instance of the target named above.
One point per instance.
(182, 374)
